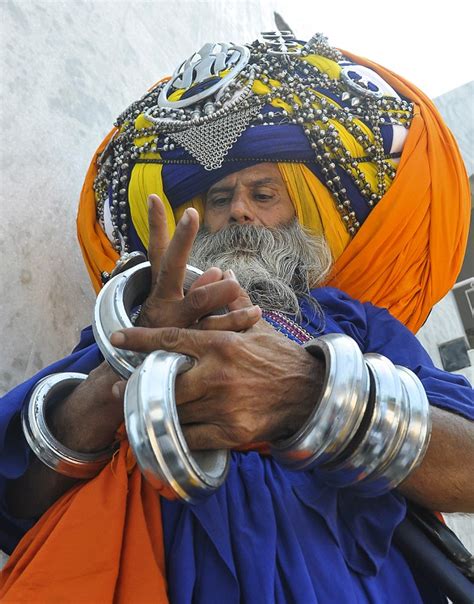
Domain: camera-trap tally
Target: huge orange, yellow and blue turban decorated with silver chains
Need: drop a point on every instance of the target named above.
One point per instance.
(367, 160)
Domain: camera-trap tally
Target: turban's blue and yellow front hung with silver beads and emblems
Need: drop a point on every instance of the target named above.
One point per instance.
(346, 121)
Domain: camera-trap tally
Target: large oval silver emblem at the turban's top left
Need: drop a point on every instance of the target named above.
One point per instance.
(202, 73)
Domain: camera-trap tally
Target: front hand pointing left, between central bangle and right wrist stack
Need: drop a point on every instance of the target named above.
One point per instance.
(244, 388)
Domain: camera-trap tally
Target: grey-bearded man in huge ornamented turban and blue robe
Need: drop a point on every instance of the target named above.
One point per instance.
(269, 533)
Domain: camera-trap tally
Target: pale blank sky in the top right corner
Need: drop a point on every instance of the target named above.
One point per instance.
(429, 43)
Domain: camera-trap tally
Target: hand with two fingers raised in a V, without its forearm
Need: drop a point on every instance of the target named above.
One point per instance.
(167, 305)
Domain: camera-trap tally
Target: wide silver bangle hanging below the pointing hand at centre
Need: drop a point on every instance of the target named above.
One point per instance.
(155, 434)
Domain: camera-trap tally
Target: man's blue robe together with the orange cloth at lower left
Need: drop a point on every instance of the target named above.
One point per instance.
(268, 531)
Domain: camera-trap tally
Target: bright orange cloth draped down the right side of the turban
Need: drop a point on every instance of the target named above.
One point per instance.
(411, 247)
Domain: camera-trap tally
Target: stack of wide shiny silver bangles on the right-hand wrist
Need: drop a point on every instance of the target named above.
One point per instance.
(373, 444)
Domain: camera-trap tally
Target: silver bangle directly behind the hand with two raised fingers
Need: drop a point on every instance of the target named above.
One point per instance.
(126, 289)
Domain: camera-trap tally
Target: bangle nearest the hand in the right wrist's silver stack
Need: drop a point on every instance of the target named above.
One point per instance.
(338, 412)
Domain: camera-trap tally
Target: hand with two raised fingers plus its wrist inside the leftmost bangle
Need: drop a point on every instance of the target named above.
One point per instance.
(88, 419)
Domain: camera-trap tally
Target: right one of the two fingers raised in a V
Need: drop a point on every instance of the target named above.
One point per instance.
(169, 284)
